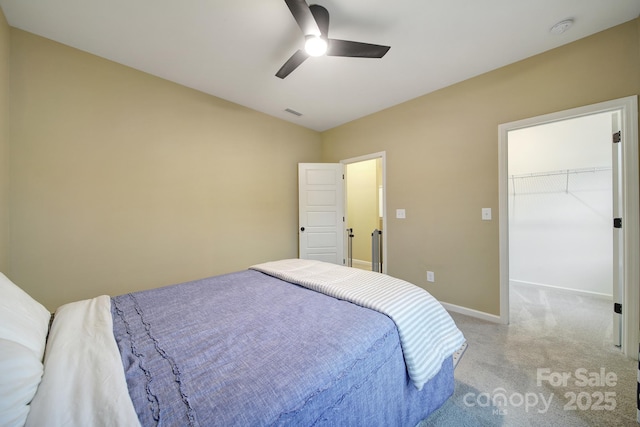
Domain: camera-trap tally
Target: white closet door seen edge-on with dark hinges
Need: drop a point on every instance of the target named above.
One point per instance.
(618, 236)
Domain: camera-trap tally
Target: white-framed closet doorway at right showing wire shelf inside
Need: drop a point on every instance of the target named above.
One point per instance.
(563, 179)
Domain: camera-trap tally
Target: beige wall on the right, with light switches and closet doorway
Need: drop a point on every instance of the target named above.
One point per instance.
(442, 157)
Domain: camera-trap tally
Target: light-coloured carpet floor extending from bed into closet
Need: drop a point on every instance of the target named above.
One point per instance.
(544, 368)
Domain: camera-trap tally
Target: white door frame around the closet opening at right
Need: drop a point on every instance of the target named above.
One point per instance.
(630, 189)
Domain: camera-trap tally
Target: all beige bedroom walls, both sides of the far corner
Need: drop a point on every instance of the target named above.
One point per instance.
(122, 181)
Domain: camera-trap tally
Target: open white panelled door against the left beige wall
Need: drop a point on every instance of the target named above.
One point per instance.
(321, 227)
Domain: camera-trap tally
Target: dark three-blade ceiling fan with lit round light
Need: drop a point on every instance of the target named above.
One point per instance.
(314, 22)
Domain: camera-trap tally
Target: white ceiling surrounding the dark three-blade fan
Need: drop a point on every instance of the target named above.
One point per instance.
(233, 48)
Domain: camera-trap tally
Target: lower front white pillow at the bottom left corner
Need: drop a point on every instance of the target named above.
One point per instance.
(20, 375)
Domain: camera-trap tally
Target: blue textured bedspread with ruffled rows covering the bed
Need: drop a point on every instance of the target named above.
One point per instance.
(247, 349)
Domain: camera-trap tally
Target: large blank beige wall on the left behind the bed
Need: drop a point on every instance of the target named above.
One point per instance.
(122, 181)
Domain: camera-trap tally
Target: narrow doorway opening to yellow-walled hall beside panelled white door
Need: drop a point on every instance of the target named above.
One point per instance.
(365, 211)
